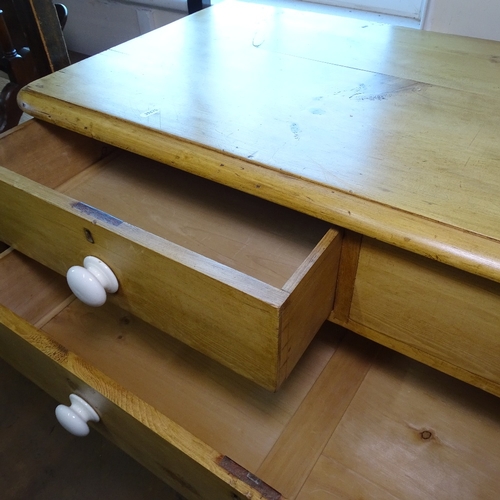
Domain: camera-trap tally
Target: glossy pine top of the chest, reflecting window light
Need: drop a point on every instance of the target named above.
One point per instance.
(390, 132)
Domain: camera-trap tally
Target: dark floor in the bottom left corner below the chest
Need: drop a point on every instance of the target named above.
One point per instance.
(39, 460)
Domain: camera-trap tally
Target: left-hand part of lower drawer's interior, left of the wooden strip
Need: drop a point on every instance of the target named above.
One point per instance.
(231, 414)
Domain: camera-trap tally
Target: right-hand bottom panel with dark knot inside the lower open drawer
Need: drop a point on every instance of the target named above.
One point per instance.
(411, 433)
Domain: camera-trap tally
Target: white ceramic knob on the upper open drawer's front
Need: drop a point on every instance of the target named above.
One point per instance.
(91, 282)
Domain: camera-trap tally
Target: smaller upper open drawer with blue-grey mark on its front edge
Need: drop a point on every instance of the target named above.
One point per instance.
(240, 279)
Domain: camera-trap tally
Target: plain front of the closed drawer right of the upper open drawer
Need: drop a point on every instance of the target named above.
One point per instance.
(430, 311)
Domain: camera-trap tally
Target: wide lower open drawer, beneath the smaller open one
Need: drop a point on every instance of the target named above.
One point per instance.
(353, 420)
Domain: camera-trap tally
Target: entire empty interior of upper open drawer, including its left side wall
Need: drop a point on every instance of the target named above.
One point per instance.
(258, 238)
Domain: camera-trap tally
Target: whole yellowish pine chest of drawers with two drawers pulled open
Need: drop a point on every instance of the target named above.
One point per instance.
(389, 142)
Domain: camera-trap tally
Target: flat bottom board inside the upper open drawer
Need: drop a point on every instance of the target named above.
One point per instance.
(258, 238)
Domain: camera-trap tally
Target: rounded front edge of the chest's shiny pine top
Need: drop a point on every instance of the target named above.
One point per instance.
(428, 237)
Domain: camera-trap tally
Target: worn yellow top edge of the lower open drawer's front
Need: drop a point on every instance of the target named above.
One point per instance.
(168, 430)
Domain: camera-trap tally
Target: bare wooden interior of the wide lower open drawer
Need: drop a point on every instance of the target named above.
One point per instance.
(353, 418)
